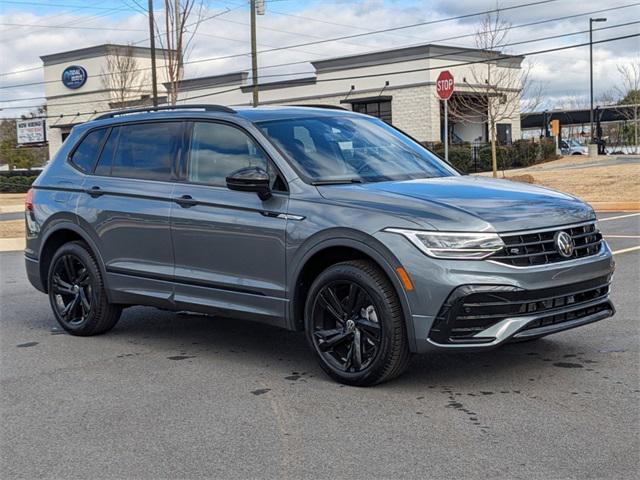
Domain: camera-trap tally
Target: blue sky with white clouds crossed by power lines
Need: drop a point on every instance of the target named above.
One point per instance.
(31, 28)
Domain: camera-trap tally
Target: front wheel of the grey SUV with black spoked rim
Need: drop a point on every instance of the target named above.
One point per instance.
(355, 325)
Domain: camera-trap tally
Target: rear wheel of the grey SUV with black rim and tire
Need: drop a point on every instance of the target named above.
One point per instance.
(77, 294)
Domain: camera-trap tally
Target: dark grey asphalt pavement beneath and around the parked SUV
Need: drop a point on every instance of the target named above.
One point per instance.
(169, 395)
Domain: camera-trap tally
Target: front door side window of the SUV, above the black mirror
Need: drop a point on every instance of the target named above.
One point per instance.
(218, 150)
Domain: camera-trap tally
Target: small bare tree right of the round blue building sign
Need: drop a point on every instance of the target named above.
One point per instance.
(122, 77)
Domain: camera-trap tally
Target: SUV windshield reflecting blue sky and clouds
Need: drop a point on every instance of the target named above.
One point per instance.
(352, 149)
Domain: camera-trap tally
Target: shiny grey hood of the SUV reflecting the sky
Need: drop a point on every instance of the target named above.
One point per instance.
(467, 203)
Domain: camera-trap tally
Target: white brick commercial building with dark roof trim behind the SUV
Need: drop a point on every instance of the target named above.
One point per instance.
(397, 85)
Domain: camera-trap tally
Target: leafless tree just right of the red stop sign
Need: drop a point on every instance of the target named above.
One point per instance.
(492, 90)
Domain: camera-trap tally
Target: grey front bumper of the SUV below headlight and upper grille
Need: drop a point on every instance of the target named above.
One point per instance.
(436, 281)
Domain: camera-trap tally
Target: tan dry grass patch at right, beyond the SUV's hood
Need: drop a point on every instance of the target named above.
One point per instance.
(617, 183)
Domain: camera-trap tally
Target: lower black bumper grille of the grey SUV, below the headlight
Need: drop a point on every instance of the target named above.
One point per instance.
(470, 310)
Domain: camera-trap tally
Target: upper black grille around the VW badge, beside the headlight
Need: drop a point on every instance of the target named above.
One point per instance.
(539, 248)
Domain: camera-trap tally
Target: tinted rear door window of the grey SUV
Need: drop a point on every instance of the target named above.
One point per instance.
(143, 151)
